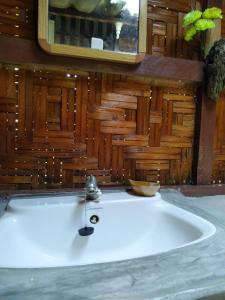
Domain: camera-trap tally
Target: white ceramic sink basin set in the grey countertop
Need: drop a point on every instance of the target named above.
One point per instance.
(42, 232)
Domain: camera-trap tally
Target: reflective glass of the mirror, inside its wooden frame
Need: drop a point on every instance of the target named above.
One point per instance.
(99, 24)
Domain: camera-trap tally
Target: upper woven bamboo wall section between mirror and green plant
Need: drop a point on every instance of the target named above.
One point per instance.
(165, 31)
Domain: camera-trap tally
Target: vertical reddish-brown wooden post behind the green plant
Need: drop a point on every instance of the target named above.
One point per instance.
(205, 120)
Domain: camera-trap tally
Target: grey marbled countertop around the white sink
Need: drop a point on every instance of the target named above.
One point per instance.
(193, 272)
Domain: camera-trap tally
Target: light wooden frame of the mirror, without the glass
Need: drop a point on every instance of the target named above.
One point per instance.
(70, 50)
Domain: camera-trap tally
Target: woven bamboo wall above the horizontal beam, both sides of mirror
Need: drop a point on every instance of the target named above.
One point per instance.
(164, 27)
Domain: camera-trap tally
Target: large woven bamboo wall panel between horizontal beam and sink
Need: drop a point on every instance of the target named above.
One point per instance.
(56, 129)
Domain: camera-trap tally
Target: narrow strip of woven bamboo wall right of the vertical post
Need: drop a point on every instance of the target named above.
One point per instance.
(219, 143)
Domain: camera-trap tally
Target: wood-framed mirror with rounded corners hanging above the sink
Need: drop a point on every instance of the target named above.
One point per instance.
(99, 29)
